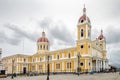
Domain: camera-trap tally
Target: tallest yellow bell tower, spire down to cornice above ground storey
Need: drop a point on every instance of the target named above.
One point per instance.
(84, 33)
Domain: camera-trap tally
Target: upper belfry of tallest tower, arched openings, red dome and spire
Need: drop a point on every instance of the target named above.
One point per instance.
(84, 27)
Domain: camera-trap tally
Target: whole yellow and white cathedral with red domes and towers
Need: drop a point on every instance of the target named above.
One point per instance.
(88, 55)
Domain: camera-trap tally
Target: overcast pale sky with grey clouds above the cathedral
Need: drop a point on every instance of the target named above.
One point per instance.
(22, 22)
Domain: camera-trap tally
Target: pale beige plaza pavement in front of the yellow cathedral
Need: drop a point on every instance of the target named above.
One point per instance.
(96, 76)
